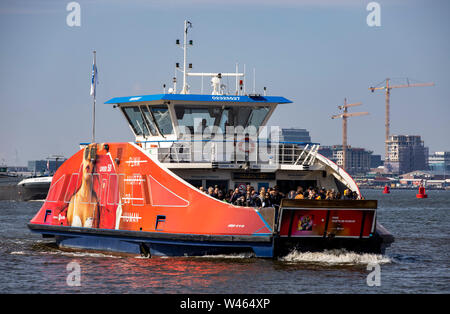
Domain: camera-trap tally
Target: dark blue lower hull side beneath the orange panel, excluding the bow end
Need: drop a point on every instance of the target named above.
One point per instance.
(151, 244)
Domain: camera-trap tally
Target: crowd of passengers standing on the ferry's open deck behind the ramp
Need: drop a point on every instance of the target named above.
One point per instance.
(272, 196)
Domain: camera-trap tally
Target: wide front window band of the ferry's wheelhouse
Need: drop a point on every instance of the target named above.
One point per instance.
(197, 118)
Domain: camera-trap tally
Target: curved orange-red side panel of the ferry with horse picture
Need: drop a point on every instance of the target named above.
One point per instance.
(118, 186)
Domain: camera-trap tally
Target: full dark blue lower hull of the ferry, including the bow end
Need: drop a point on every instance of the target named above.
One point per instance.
(194, 245)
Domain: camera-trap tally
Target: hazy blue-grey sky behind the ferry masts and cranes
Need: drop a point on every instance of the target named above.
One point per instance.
(313, 52)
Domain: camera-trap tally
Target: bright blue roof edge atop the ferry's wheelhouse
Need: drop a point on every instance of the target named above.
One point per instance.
(202, 98)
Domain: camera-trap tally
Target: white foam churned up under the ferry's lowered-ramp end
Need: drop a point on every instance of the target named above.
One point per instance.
(337, 257)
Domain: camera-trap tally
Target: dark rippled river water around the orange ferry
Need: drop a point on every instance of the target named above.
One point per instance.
(417, 262)
